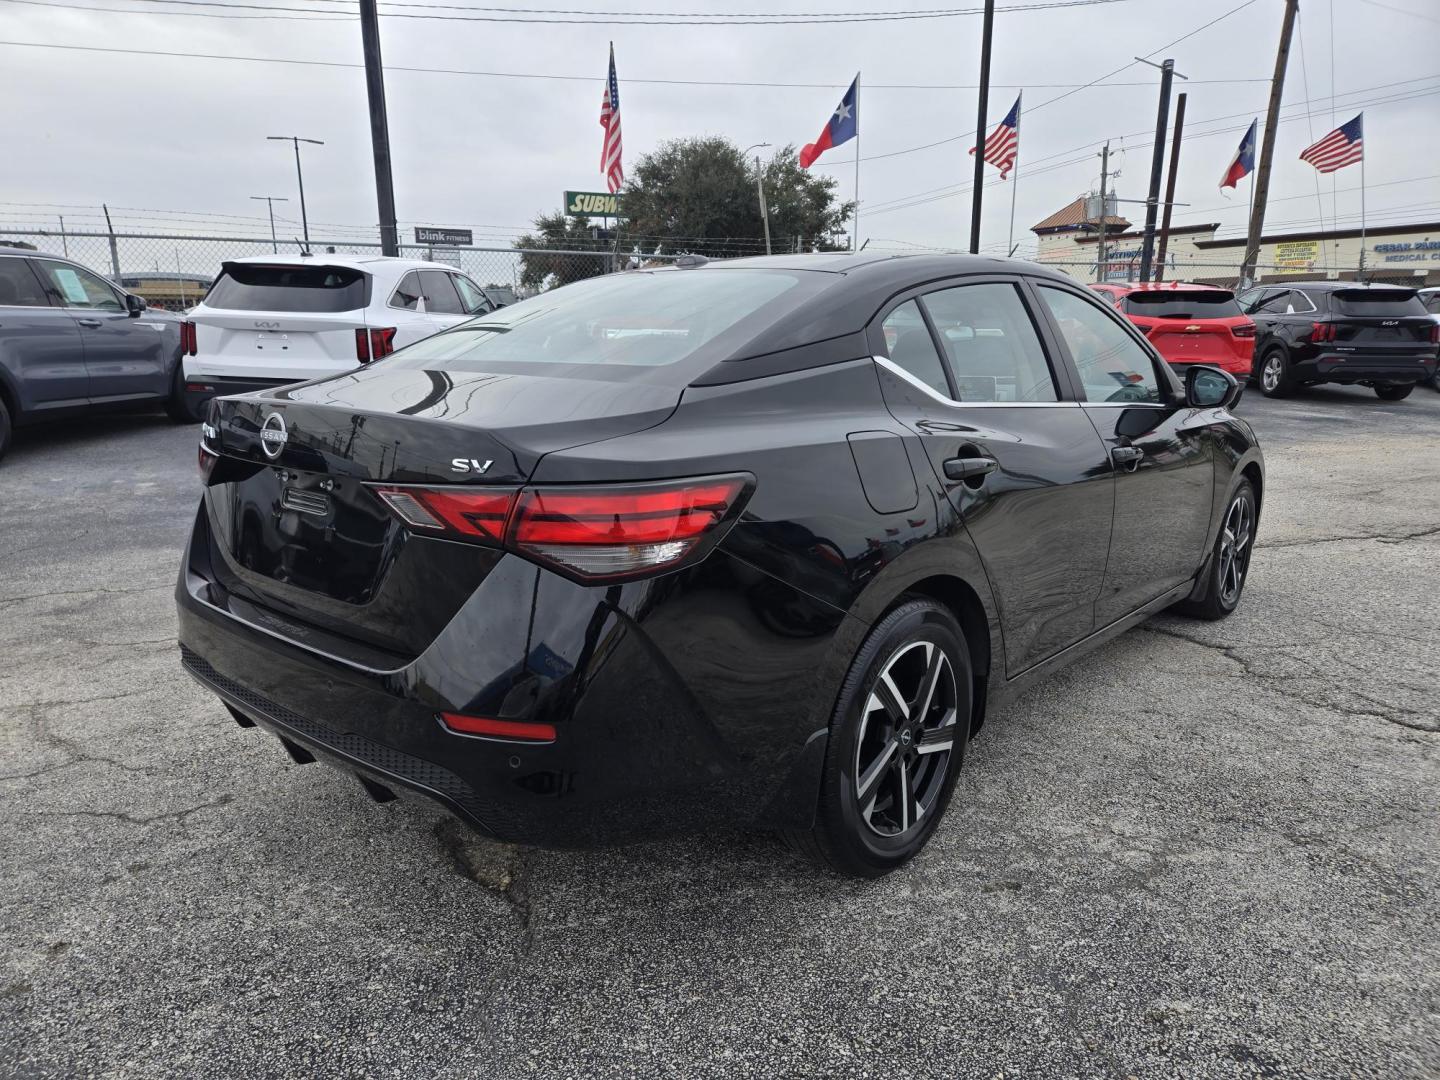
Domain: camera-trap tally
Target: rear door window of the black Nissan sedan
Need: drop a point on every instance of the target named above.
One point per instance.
(991, 343)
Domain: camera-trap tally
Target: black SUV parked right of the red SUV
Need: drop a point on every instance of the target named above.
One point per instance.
(1341, 332)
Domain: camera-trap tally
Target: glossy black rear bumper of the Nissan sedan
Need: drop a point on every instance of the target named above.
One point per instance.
(650, 739)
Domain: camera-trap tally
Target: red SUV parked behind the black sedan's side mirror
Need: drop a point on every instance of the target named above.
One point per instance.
(1189, 325)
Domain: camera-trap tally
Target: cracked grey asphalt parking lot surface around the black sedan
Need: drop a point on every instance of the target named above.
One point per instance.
(1207, 850)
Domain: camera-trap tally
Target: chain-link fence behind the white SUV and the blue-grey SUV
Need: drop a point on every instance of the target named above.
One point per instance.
(175, 271)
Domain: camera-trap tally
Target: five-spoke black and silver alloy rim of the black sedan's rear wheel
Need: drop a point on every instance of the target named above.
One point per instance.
(906, 739)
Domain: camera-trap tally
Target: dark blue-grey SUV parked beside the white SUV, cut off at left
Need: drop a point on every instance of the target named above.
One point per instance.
(71, 341)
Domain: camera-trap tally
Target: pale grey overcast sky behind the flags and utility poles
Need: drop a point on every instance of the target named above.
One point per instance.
(185, 135)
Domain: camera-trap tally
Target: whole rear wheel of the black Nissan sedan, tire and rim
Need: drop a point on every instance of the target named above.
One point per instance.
(919, 757)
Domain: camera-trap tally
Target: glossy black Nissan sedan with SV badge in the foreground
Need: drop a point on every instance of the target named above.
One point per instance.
(747, 544)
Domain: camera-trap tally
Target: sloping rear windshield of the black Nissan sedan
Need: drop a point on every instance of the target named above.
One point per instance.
(617, 326)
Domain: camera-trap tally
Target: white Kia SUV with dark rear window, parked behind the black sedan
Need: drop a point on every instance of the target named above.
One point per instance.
(284, 319)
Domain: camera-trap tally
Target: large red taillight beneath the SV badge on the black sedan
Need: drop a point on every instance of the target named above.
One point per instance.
(588, 534)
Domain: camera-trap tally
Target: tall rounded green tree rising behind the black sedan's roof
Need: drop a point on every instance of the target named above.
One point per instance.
(698, 195)
